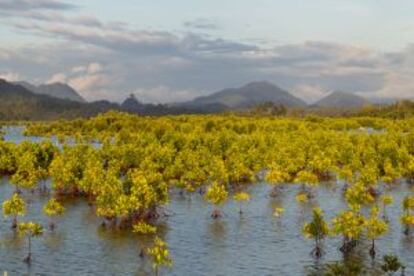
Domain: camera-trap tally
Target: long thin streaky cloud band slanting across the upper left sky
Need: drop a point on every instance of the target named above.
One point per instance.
(136, 41)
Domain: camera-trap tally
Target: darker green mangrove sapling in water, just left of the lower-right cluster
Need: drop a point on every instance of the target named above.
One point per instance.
(317, 229)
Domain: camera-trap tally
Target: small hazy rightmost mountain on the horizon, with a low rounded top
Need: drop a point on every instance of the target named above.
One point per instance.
(341, 99)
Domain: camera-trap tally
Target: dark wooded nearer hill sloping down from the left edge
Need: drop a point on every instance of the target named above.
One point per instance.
(19, 103)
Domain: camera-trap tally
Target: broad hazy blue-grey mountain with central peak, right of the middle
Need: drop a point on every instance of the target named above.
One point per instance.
(249, 95)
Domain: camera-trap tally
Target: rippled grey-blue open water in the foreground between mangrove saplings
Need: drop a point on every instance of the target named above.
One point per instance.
(255, 244)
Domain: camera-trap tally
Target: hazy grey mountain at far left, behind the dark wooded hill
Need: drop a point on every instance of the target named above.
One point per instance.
(57, 90)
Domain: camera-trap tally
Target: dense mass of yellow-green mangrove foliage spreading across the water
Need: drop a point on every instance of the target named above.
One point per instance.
(140, 160)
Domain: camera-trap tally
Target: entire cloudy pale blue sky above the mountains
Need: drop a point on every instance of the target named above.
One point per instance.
(168, 51)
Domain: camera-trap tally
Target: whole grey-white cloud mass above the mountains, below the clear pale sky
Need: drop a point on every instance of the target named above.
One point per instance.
(112, 60)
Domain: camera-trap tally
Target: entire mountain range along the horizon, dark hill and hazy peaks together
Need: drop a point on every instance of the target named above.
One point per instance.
(22, 100)
